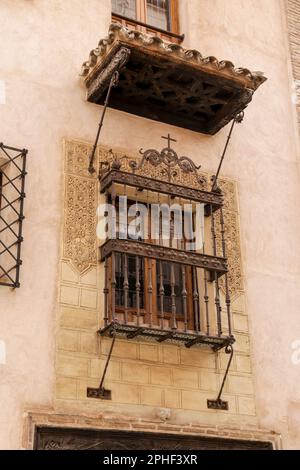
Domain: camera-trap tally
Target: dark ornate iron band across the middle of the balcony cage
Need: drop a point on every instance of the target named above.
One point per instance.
(147, 250)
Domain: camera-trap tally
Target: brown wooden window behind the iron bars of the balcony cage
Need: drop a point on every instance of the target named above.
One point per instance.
(170, 278)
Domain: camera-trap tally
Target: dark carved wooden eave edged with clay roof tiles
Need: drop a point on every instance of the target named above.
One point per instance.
(164, 82)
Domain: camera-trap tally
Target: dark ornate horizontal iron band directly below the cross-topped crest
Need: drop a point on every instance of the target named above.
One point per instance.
(163, 187)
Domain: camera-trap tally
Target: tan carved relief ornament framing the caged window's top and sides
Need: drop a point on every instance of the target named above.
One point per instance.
(81, 196)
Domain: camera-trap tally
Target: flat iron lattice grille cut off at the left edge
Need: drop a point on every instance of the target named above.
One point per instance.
(12, 195)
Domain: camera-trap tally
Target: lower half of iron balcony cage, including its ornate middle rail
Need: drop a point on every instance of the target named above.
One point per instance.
(148, 294)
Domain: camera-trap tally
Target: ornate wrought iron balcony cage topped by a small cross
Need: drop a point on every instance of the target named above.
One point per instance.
(201, 321)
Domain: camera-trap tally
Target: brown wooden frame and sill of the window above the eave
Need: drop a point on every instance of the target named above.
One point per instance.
(140, 23)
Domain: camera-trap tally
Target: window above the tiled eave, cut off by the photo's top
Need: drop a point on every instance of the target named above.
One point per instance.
(152, 15)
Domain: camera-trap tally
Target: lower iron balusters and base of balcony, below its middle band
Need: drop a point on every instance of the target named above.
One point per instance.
(147, 306)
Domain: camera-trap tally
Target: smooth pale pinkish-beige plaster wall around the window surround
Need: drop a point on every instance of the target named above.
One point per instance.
(42, 46)
